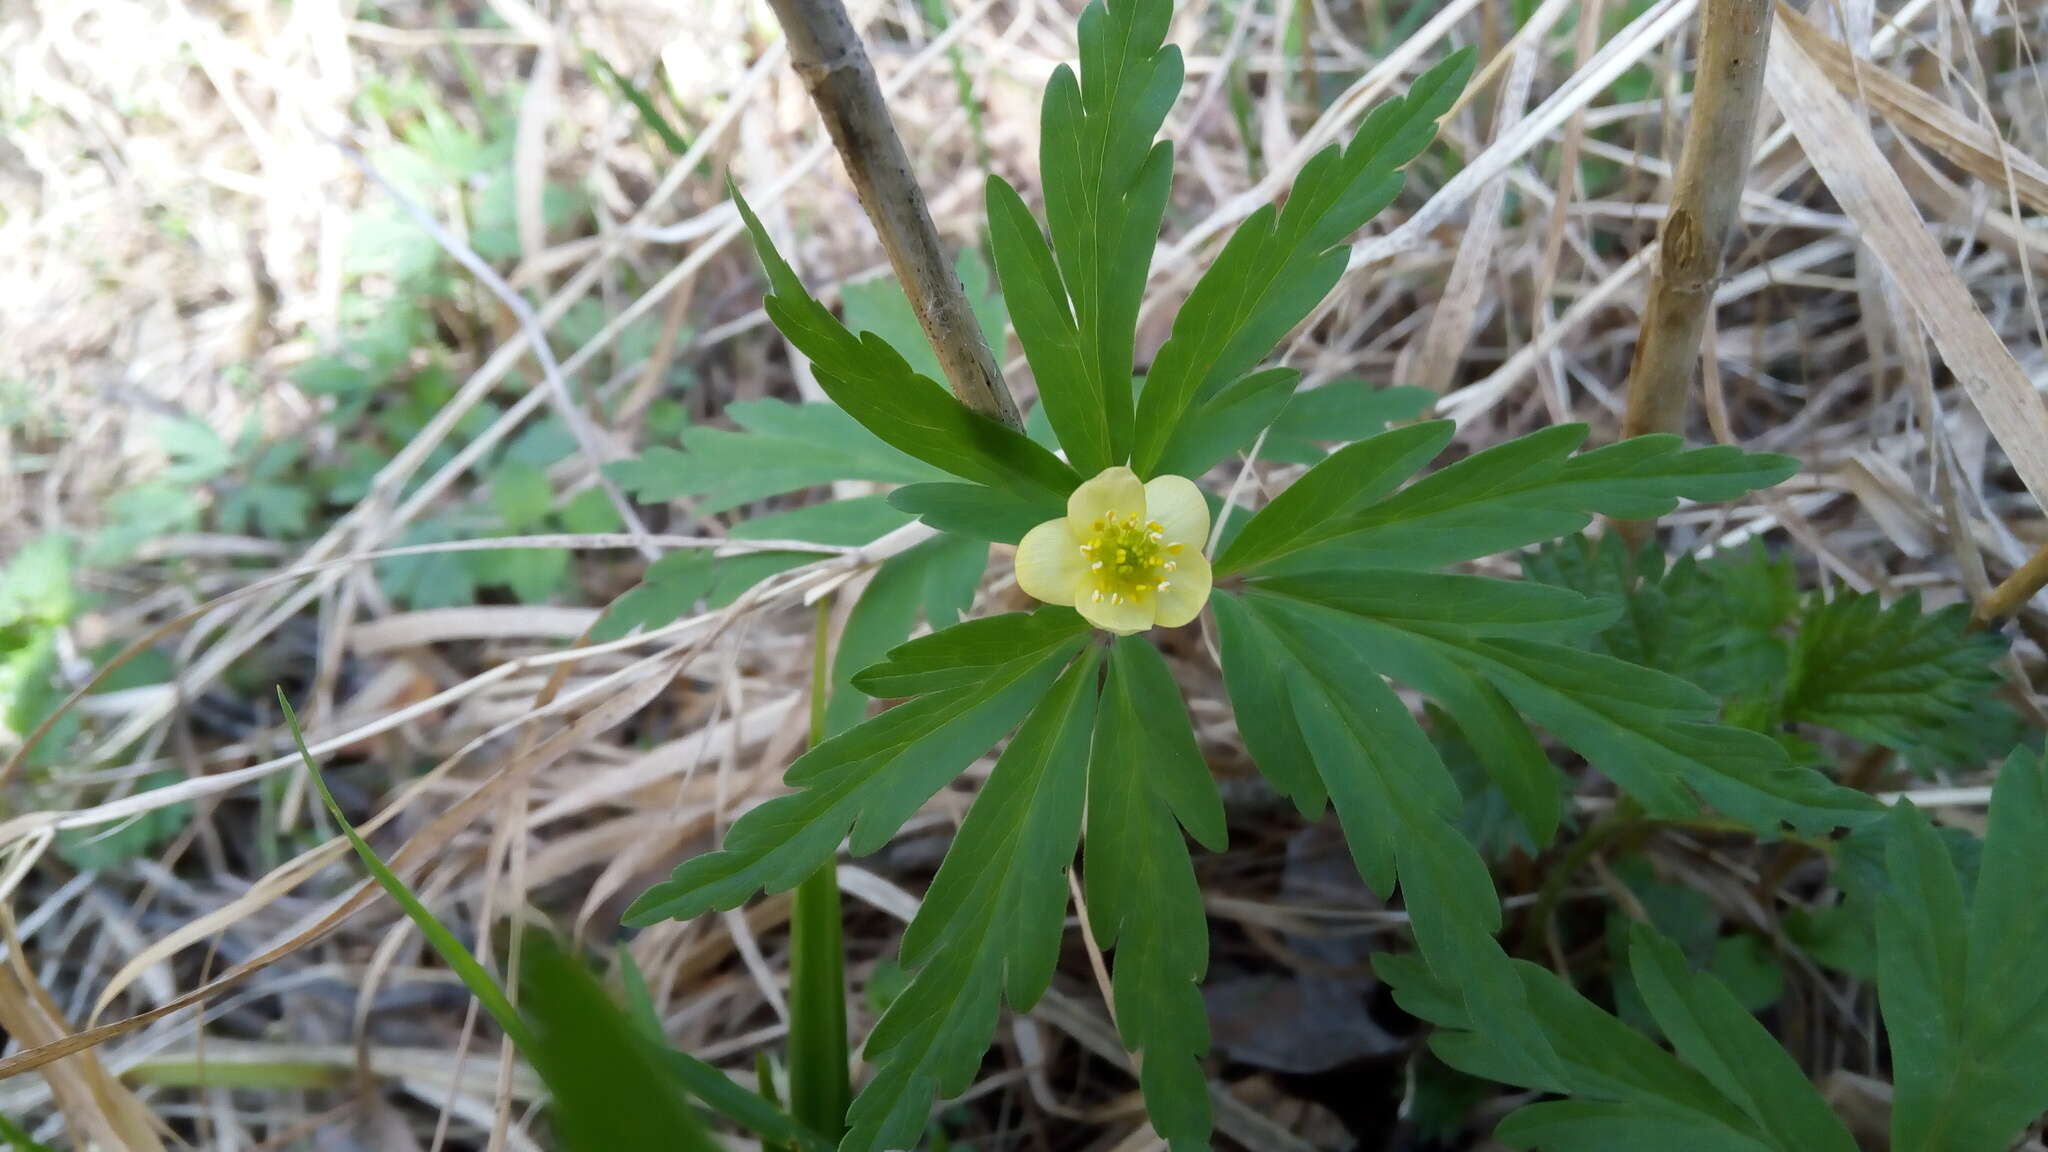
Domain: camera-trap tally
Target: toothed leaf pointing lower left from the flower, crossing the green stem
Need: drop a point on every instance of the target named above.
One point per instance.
(873, 778)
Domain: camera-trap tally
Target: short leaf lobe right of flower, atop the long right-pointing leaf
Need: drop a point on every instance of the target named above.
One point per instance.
(1318, 505)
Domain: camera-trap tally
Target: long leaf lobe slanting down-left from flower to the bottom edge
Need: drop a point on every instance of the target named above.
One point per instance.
(990, 925)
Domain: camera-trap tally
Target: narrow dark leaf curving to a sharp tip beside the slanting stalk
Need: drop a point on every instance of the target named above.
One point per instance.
(912, 413)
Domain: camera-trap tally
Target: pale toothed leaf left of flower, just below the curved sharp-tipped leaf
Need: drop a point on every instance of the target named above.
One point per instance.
(779, 448)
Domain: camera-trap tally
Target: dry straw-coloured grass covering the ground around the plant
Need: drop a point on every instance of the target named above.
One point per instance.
(175, 210)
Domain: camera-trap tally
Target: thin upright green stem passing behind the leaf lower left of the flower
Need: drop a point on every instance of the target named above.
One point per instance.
(818, 1063)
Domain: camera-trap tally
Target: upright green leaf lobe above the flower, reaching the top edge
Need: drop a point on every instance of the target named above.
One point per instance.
(1105, 196)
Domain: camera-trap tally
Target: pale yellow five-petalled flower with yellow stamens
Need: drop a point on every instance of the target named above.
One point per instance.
(1127, 554)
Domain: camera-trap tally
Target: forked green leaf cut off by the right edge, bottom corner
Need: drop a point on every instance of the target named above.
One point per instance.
(1961, 981)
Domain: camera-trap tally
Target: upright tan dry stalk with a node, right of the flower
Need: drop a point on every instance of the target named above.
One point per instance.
(1705, 198)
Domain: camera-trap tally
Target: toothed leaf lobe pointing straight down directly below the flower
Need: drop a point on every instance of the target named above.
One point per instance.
(1142, 893)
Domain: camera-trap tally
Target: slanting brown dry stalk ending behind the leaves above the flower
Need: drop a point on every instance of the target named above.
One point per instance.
(826, 52)
